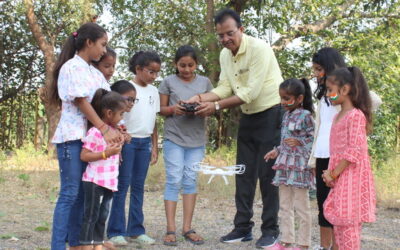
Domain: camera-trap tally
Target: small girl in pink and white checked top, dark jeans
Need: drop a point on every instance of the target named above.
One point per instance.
(100, 179)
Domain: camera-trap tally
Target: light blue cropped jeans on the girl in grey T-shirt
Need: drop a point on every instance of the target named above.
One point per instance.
(178, 166)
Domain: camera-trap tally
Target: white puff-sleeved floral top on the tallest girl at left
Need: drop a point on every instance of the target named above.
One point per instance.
(76, 79)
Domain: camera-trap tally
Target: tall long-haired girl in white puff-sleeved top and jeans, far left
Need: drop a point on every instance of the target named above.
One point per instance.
(75, 82)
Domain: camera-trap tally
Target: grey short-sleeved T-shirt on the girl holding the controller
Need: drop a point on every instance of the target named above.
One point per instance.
(184, 130)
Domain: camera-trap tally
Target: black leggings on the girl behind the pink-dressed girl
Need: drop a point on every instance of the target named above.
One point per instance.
(322, 190)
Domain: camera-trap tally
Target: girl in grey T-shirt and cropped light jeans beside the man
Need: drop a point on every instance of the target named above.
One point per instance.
(184, 141)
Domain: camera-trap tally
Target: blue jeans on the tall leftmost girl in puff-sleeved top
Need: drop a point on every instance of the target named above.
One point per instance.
(68, 213)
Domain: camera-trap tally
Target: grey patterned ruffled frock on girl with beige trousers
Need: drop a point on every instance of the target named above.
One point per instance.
(291, 164)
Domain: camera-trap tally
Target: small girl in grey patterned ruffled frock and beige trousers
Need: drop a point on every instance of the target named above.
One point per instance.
(293, 175)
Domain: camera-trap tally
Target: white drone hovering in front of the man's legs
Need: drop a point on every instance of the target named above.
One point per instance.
(222, 171)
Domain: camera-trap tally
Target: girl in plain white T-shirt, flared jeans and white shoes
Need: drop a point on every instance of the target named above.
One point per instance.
(141, 151)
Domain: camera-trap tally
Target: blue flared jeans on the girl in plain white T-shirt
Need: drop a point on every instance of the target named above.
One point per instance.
(136, 157)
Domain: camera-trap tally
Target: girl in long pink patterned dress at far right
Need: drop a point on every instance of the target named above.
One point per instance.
(351, 200)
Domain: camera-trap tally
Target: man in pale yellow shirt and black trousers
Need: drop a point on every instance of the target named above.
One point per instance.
(250, 77)
